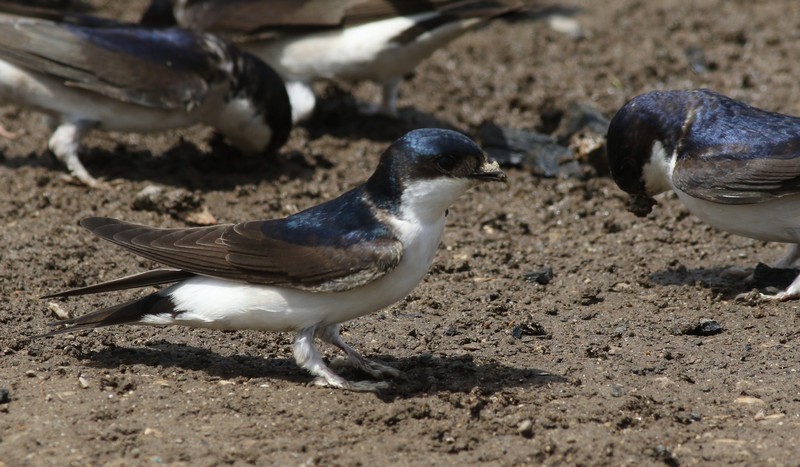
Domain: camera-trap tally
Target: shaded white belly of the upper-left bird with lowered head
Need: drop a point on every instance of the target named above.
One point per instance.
(29, 89)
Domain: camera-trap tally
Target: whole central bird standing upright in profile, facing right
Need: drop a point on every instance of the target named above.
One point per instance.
(307, 272)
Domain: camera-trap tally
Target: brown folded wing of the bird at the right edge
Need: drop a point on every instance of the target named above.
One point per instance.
(729, 180)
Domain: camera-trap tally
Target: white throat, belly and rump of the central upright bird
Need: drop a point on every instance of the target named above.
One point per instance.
(221, 304)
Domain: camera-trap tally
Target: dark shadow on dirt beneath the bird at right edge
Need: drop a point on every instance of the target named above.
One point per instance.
(723, 282)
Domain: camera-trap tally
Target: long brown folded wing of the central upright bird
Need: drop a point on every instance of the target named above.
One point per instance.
(244, 252)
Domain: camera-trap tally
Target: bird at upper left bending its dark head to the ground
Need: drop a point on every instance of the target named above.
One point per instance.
(90, 73)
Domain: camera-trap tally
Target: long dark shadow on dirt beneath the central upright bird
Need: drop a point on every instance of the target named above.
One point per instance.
(424, 374)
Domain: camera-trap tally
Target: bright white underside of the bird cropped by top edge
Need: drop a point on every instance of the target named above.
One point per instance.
(356, 53)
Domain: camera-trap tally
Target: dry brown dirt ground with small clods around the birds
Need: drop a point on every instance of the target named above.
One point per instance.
(605, 364)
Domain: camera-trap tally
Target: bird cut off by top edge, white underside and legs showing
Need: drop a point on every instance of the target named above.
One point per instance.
(348, 40)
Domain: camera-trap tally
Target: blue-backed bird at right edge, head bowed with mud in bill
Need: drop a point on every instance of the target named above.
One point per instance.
(734, 166)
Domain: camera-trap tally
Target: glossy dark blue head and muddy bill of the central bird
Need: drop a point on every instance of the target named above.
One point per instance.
(429, 154)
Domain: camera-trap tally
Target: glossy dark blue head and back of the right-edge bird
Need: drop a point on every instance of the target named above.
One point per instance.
(697, 125)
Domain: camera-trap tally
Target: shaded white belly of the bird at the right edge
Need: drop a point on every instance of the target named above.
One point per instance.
(776, 220)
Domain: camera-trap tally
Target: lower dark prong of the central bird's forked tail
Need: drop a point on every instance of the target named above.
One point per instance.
(125, 313)
